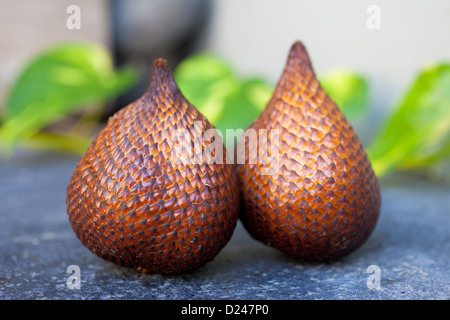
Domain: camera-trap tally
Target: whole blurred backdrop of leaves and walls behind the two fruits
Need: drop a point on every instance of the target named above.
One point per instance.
(391, 49)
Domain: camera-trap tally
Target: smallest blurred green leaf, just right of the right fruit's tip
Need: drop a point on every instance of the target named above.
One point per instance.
(348, 89)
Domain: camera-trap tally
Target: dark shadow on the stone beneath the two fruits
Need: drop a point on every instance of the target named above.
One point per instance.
(244, 256)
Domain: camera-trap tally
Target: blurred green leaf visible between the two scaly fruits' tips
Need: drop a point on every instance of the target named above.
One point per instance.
(226, 100)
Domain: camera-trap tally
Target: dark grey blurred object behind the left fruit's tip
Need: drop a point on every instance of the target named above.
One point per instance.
(145, 30)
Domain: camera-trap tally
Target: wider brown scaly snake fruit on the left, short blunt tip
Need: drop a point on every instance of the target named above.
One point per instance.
(131, 203)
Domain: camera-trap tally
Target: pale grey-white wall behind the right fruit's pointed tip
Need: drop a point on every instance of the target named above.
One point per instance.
(255, 36)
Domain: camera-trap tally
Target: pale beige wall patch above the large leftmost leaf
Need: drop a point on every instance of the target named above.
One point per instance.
(28, 26)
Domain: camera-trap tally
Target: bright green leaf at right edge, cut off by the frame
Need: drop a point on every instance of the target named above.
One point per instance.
(417, 132)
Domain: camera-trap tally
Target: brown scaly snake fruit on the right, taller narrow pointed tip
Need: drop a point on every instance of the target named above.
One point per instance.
(323, 200)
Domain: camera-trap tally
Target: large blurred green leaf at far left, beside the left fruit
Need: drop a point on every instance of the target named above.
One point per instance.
(57, 82)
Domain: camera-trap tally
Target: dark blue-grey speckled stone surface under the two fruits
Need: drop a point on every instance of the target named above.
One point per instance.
(410, 245)
